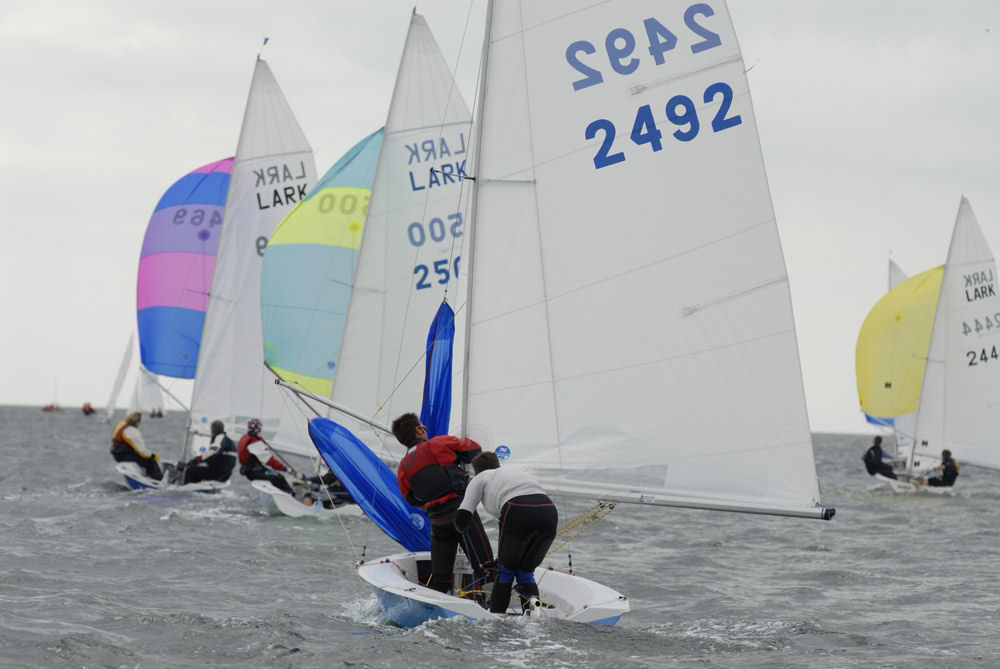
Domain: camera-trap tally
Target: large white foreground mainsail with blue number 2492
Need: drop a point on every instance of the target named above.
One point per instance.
(632, 335)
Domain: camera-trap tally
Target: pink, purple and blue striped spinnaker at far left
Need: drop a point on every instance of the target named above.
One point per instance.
(175, 269)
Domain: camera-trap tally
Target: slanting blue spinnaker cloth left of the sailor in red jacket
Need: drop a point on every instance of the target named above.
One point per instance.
(372, 484)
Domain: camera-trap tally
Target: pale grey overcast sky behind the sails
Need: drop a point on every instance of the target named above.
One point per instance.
(874, 116)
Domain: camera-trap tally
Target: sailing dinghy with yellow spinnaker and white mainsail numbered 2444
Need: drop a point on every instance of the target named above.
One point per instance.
(960, 369)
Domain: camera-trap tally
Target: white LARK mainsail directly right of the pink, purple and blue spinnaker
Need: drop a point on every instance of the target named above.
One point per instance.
(273, 170)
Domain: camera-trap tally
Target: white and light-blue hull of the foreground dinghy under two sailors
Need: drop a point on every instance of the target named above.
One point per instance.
(405, 602)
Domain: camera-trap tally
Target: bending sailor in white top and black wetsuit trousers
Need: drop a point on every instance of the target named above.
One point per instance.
(528, 523)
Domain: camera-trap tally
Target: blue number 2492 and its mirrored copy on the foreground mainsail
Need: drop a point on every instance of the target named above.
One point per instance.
(681, 110)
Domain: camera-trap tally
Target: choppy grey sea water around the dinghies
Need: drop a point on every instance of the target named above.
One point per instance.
(94, 575)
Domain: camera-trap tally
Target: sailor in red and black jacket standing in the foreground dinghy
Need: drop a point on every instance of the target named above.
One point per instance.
(431, 477)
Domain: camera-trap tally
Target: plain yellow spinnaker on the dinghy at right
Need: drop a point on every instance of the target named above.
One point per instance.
(893, 344)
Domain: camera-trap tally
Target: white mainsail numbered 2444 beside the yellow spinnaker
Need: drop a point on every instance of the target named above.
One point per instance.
(958, 400)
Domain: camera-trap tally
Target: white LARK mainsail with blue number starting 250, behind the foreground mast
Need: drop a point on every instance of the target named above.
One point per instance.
(411, 251)
